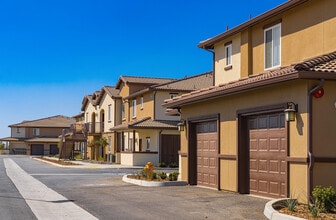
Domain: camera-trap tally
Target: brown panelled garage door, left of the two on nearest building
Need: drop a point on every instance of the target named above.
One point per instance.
(207, 154)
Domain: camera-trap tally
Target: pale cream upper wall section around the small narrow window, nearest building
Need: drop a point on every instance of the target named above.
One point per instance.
(222, 75)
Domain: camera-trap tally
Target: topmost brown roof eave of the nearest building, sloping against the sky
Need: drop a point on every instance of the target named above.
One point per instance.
(209, 43)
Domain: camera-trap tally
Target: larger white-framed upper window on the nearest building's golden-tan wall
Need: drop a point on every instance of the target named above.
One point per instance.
(274, 48)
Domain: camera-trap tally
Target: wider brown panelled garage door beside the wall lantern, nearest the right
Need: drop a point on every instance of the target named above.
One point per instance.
(268, 151)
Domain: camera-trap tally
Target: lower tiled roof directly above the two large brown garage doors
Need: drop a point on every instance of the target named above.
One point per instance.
(321, 67)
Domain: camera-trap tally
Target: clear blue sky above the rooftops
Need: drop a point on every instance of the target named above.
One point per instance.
(53, 53)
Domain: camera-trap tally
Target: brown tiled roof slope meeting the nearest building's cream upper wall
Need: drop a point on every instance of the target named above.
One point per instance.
(186, 84)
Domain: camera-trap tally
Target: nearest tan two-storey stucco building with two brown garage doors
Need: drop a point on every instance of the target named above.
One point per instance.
(236, 135)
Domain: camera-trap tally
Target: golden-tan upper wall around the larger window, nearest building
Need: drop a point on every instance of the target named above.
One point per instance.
(305, 34)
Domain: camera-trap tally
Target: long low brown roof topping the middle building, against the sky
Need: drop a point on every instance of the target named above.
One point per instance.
(141, 80)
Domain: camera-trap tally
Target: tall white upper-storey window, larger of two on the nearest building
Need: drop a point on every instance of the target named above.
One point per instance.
(272, 46)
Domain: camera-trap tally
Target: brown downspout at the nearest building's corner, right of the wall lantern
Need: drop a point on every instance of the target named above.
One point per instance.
(310, 138)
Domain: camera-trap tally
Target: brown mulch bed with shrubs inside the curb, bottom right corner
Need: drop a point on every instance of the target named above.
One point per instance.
(302, 211)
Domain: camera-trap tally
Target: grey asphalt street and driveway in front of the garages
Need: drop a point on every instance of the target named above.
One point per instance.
(102, 194)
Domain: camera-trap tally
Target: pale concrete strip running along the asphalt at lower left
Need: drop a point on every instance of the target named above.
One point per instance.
(44, 202)
